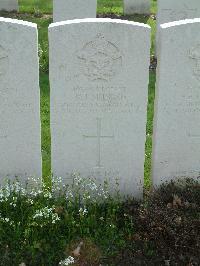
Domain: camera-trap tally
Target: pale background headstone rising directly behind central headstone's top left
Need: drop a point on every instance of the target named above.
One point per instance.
(74, 9)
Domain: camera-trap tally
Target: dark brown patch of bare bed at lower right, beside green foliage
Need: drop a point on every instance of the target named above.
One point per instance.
(167, 228)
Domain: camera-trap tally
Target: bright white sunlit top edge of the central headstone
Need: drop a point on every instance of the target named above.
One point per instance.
(98, 20)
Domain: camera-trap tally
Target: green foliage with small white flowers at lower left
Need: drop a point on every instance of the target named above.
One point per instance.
(38, 225)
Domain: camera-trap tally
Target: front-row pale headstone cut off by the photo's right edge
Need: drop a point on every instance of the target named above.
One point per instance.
(176, 149)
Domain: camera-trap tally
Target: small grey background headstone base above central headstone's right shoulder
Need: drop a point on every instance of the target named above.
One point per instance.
(136, 7)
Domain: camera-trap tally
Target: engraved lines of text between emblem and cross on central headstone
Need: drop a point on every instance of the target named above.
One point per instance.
(95, 99)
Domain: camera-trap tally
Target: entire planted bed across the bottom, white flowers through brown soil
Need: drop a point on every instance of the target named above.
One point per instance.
(39, 227)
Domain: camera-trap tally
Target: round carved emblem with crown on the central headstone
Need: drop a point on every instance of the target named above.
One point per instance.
(100, 59)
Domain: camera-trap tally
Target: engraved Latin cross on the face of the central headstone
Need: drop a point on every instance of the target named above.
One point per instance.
(98, 136)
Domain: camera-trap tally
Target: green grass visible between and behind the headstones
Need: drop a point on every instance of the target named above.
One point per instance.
(104, 6)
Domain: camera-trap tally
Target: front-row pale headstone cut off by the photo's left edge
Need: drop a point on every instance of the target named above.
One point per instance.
(19, 102)
